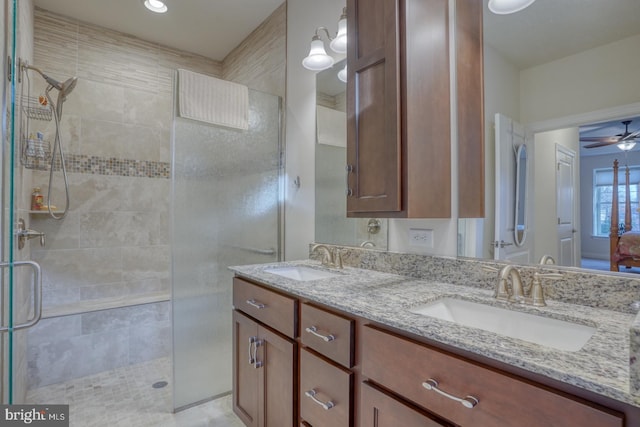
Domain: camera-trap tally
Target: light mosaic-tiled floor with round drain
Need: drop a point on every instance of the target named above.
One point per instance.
(125, 397)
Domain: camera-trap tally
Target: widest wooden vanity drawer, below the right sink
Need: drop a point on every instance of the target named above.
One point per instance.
(403, 365)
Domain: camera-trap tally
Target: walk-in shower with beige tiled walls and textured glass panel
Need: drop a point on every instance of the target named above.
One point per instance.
(160, 206)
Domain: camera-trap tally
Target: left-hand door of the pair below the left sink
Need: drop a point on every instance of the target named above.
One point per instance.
(246, 378)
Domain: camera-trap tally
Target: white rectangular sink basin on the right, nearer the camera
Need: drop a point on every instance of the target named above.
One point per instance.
(558, 334)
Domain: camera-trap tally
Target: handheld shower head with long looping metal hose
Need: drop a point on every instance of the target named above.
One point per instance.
(64, 89)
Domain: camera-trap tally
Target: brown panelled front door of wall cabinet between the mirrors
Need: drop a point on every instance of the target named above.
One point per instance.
(373, 107)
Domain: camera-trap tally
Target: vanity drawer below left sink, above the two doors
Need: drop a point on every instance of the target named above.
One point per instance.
(271, 308)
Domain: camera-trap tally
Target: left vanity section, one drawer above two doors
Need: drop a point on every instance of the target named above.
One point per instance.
(264, 359)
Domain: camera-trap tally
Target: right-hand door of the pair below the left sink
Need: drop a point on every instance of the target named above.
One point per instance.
(276, 355)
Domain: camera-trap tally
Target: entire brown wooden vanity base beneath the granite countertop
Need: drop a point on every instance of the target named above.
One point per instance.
(374, 376)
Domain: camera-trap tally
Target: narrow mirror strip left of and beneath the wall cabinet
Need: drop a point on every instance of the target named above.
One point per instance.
(331, 222)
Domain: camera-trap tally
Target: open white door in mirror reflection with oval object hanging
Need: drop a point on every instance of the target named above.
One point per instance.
(509, 135)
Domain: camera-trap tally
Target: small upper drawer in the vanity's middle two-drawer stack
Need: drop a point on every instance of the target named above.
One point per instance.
(327, 333)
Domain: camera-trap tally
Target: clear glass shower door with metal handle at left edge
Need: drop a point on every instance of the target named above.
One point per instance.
(20, 278)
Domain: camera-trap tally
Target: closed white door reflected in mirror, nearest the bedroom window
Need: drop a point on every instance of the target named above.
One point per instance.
(565, 194)
